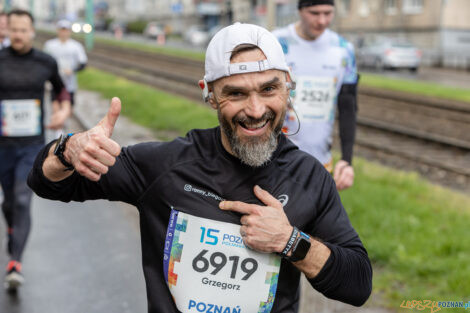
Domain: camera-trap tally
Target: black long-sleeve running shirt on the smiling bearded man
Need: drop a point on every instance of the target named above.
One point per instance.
(193, 174)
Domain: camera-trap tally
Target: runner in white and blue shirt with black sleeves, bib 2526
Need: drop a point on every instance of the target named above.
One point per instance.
(324, 68)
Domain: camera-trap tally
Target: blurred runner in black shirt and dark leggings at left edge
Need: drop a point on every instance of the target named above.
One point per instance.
(23, 72)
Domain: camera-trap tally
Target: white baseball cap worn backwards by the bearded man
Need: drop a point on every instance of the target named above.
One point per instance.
(227, 39)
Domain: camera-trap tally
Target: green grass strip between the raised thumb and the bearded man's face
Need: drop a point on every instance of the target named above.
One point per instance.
(149, 107)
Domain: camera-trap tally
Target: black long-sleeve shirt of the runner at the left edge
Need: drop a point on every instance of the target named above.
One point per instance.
(22, 77)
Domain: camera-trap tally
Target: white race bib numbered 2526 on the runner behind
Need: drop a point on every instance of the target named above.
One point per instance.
(315, 98)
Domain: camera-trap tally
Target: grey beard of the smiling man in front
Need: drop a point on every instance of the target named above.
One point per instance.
(253, 151)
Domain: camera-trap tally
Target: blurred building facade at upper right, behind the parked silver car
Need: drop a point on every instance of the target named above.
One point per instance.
(440, 28)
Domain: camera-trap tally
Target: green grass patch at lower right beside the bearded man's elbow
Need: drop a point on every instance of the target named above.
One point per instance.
(417, 234)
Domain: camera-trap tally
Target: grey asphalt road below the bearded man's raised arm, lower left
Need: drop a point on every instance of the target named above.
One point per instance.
(81, 257)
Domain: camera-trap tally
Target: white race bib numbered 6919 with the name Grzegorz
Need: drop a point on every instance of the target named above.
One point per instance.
(209, 269)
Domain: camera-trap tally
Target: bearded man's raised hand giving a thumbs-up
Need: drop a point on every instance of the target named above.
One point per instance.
(92, 152)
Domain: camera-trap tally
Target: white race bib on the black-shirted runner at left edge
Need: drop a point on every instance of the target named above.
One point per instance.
(20, 118)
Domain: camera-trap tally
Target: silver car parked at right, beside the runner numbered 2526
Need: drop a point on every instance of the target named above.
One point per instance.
(389, 54)
